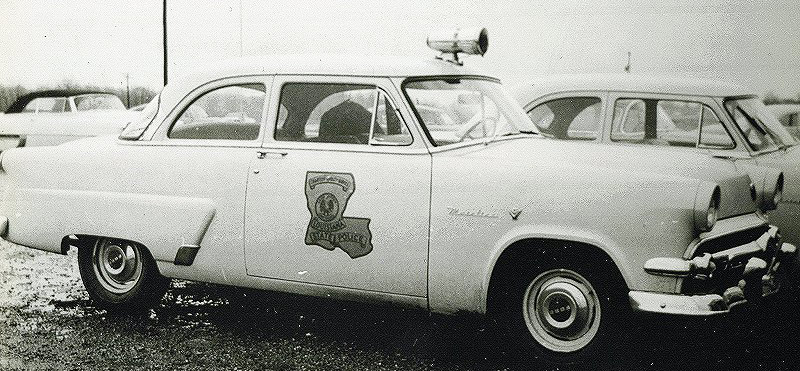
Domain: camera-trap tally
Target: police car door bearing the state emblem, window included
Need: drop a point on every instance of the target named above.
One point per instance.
(339, 194)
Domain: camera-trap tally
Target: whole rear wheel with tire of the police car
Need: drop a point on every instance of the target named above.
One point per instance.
(120, 275)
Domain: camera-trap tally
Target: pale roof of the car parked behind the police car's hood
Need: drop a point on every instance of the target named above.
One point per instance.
(533, 89)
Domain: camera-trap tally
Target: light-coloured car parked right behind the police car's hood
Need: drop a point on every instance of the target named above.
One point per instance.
(711, 117)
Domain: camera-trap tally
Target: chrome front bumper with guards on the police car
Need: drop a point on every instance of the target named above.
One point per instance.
(756, 269)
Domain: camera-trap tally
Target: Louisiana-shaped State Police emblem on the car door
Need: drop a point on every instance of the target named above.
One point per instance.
(327, 195)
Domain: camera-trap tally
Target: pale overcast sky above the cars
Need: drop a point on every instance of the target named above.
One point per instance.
(752, 42)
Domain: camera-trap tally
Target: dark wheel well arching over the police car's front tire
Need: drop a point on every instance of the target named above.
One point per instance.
(531, 253)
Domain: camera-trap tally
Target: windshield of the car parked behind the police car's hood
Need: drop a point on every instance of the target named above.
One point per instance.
(758, 124)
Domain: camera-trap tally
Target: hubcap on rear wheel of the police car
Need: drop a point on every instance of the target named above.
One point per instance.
(117, 265)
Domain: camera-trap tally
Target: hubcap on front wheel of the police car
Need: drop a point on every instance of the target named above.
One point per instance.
(561, 310)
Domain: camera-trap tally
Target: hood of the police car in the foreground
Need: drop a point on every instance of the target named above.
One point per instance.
(734, 184)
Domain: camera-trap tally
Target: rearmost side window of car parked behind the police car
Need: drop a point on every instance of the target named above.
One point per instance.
(568, 118)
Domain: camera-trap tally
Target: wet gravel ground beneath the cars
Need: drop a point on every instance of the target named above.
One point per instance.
(48, 322)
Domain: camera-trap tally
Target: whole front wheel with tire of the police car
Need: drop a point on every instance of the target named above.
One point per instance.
(566, 315)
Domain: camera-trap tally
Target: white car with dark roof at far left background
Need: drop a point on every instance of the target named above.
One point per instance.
(56, 116)
